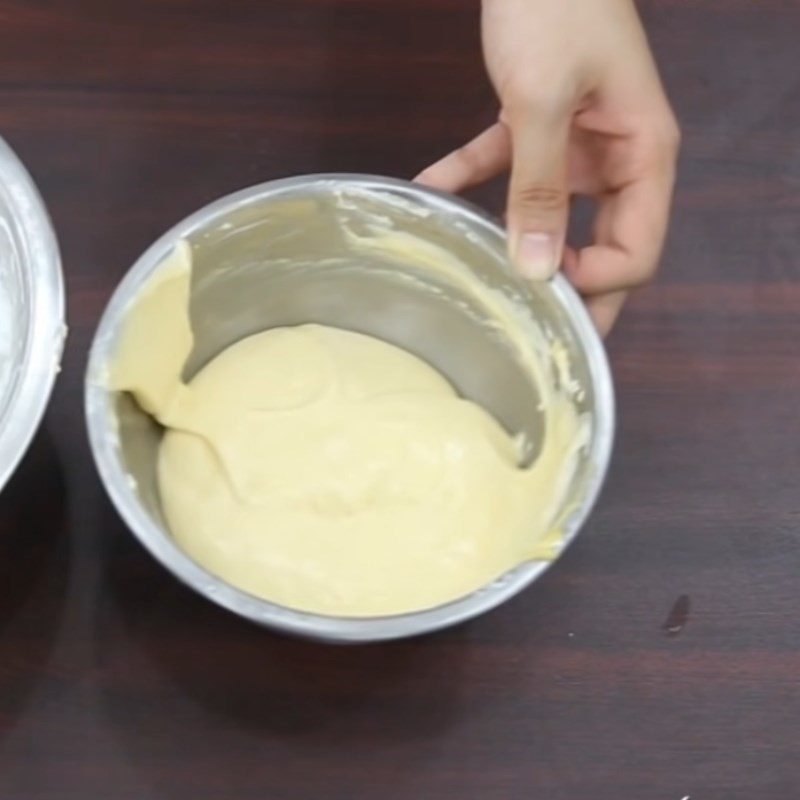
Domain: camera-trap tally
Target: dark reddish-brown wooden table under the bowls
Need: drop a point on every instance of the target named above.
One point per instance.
(116, 682)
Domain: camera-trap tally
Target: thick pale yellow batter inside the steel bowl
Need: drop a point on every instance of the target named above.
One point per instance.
(332, 472)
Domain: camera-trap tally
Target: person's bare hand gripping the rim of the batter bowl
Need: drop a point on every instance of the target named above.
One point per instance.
(582, 112)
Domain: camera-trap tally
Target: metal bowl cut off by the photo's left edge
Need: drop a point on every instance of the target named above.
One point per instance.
(31, 310)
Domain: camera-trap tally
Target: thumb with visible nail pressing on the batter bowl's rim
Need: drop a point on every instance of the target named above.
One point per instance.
(538, 197)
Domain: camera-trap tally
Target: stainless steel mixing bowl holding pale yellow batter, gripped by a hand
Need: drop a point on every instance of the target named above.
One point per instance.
(275, 255)
